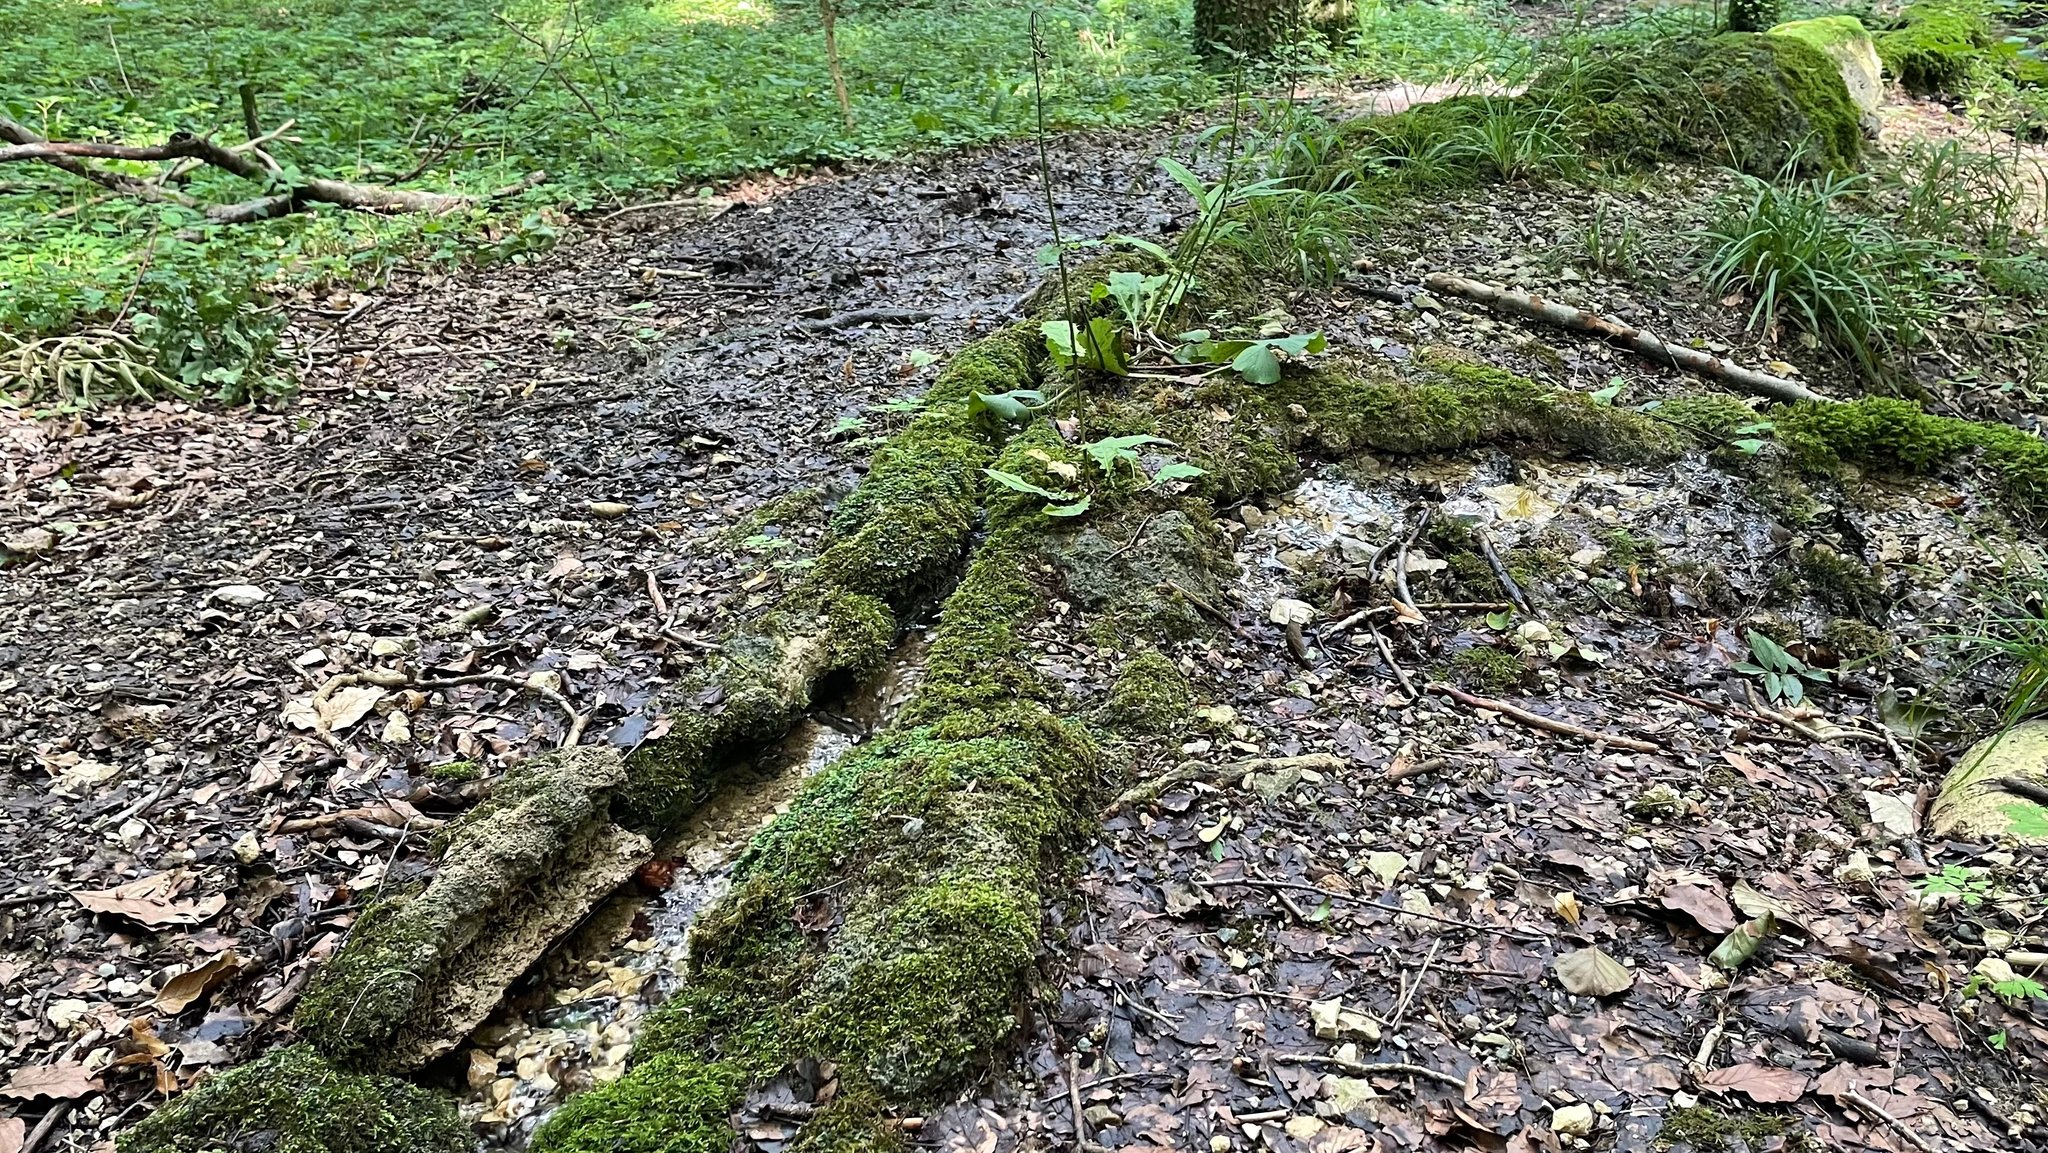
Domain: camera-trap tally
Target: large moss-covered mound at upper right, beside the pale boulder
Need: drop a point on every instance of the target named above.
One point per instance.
(1750, 101)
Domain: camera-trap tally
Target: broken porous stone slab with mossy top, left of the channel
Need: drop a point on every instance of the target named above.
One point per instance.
(423, 970)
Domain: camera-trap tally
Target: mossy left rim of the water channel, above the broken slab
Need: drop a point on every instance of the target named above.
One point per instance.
(894, 542)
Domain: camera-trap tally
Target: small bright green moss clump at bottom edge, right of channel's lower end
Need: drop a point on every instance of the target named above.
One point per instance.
(671, 1105)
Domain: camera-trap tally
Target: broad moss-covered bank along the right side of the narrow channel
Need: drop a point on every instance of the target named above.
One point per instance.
(890, 921)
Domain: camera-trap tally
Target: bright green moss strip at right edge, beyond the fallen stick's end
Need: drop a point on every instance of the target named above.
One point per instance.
(1897, 435)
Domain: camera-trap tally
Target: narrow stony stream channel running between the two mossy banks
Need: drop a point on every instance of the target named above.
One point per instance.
(572, 1021)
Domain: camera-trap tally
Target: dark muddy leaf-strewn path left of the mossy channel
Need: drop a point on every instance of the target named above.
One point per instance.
(583, 443)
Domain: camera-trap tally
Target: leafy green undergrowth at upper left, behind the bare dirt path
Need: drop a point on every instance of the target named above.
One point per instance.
(613, 99)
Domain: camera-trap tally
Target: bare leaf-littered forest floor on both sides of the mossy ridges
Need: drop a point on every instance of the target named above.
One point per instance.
(552, 486)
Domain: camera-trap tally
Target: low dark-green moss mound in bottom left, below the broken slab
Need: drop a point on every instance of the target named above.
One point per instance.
(292, 1101)
